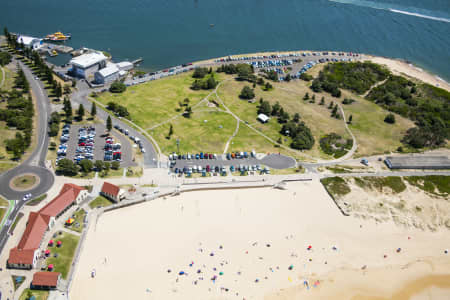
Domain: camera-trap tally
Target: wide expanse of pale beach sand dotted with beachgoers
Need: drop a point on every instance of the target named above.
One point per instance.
(255, 235)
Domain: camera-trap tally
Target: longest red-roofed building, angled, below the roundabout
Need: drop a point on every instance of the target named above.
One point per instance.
(25, 254)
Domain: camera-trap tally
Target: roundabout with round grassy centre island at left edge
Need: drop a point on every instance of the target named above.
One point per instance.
(26, 179)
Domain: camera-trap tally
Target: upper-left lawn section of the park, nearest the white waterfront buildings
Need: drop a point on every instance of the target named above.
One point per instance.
(156, 101)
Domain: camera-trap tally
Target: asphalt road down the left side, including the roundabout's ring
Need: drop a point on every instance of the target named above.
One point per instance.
(36, 161)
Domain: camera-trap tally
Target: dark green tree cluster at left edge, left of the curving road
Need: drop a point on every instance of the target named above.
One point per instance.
(18, 114)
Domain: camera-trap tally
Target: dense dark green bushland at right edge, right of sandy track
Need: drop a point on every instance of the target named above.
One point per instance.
(428, 106)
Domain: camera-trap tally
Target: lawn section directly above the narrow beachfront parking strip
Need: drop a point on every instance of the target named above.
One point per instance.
(195, 134)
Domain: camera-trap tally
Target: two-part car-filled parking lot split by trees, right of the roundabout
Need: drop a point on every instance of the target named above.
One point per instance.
(97, 144)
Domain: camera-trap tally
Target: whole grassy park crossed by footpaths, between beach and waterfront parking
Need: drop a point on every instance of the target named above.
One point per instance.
(155, 102)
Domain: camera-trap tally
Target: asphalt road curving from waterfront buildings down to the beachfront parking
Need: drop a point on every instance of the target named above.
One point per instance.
(80, 96)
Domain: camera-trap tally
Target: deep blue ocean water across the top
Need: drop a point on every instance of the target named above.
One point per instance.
(170, 32)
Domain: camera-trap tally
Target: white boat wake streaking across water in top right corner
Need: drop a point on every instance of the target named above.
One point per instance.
(395, 9)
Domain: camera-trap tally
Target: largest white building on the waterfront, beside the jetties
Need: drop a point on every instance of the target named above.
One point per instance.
(86, 65)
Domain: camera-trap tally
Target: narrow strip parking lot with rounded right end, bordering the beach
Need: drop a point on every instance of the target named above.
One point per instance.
(274, 161)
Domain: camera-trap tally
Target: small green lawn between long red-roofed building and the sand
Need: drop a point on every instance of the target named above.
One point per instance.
(63, 262)
